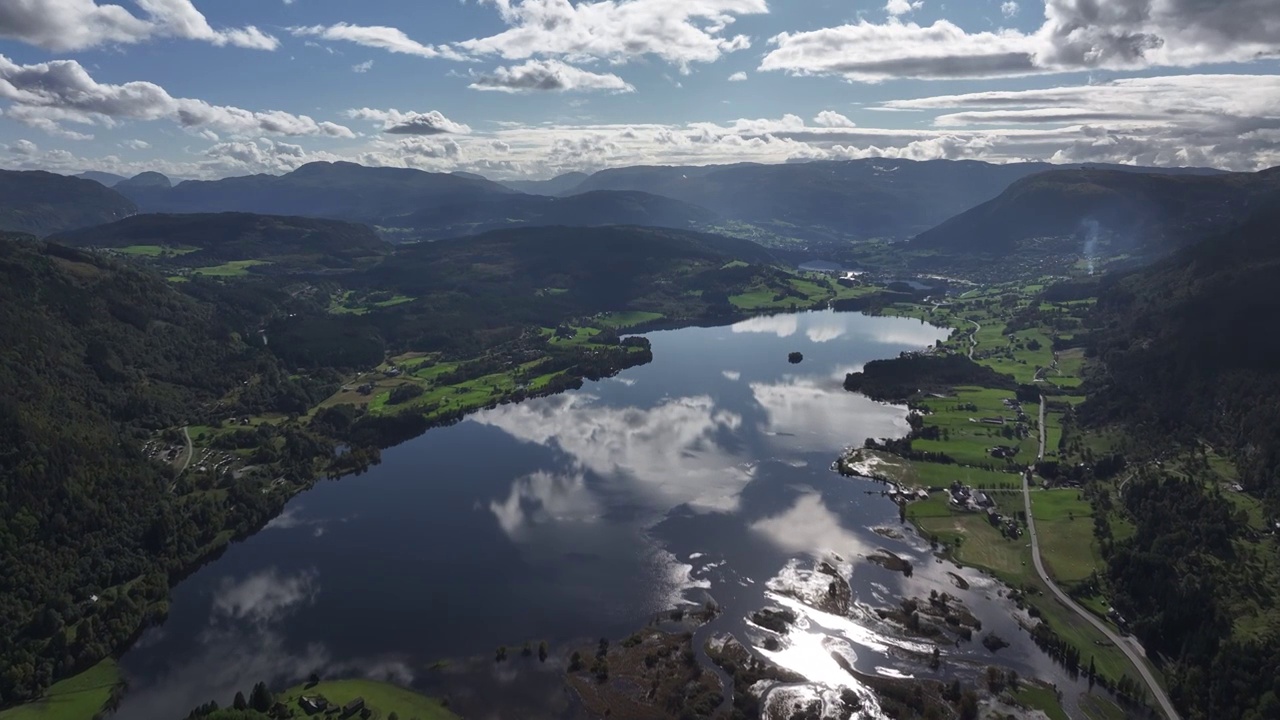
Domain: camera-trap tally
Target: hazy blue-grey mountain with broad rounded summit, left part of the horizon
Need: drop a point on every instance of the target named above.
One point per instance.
(322, 190)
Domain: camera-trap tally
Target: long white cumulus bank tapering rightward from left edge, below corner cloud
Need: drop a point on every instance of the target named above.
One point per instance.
(45, 95)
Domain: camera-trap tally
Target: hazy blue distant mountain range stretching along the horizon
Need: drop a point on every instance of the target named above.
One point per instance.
(812, 203)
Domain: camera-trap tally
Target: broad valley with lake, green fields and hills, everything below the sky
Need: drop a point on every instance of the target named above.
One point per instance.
(226, 362)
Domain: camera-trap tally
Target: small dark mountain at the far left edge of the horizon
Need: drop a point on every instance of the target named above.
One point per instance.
(42, 203)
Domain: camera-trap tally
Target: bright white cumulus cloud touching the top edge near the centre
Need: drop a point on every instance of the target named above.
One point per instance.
(678, 31)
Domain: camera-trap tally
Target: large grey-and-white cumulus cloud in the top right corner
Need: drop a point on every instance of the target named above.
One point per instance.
(1077, 35)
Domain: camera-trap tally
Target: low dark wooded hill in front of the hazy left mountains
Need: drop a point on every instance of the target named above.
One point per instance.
(202, 240)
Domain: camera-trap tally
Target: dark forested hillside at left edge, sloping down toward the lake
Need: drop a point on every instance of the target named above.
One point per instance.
(99, 357)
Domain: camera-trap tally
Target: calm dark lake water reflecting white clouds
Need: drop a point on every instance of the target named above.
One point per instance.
(702, 475)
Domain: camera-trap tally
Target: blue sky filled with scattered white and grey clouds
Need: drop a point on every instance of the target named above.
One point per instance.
(533, 89)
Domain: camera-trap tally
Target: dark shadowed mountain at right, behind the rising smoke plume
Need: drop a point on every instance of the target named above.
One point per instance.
(1131, 212)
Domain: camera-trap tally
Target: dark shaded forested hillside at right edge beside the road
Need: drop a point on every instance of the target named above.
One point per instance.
(1187, 357)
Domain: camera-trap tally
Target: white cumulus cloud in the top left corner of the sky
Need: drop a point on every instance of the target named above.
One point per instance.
(79, 25)
